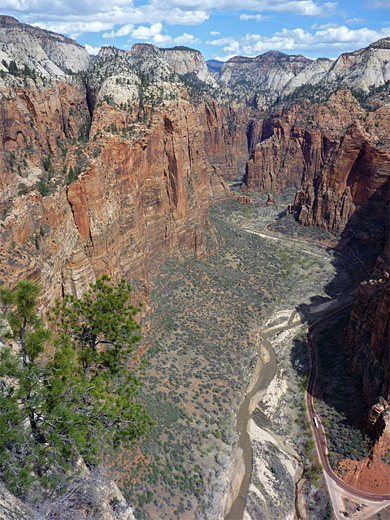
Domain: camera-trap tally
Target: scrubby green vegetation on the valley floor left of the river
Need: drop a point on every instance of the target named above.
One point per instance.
(203, 321)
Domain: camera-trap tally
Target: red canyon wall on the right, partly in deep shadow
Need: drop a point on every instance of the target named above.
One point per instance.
(337, 155)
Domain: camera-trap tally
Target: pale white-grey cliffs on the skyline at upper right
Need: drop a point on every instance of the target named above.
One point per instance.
(273, 75)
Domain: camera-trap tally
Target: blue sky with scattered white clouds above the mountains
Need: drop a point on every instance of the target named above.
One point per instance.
(220, 29)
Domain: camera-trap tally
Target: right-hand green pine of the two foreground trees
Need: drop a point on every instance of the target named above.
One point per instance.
(103, 330)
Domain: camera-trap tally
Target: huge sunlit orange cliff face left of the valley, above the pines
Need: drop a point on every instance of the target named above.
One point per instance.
(139, 200)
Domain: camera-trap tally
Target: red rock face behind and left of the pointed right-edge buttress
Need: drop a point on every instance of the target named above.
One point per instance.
(296, 142)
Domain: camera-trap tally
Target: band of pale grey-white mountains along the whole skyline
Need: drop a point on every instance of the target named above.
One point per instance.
(259, 81)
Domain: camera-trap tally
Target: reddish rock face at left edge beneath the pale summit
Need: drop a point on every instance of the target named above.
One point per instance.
(36, 121)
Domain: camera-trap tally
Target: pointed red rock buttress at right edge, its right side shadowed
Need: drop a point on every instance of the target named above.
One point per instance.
(355, 177)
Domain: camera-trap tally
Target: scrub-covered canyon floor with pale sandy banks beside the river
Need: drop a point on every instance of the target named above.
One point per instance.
(201, 335)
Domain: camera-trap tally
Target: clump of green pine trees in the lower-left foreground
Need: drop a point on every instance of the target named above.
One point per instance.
(71, 394)
